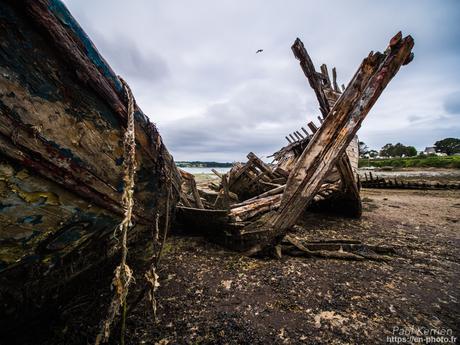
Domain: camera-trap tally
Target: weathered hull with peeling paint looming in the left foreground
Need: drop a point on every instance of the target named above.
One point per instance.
(63, 114)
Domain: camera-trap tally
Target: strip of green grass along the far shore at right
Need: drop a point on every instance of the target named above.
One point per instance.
(414, 162)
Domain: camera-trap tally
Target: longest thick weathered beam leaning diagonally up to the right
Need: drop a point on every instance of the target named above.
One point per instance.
(330, 142)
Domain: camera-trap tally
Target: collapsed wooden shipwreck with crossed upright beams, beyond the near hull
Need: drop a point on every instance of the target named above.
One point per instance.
(256, 204)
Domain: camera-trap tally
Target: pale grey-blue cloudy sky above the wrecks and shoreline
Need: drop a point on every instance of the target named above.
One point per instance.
(193, 68)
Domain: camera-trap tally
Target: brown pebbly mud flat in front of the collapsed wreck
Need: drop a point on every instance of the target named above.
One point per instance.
(209, 295)
